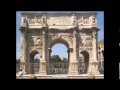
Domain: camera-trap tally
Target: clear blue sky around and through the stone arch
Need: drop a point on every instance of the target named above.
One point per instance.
(57, 49)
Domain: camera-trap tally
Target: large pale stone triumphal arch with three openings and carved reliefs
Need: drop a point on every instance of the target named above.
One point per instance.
(77, 31)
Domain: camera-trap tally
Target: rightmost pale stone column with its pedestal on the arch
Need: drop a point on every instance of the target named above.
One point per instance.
(95, 62)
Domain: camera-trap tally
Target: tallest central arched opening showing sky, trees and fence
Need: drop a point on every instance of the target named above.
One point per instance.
(59, 56)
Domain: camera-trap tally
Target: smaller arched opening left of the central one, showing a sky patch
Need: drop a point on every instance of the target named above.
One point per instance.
(34, 62)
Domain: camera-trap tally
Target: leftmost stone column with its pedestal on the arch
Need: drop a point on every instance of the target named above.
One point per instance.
(23, 51)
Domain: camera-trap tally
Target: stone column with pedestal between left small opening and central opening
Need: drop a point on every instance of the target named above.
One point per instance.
(43, 63)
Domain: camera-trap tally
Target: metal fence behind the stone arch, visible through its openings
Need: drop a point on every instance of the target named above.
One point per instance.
(60, 68)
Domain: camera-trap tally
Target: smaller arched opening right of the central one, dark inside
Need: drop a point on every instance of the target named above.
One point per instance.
(85, 62)
